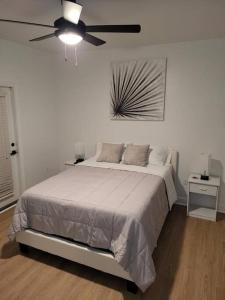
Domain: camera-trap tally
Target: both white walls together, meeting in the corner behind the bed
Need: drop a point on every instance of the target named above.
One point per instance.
(58, 104)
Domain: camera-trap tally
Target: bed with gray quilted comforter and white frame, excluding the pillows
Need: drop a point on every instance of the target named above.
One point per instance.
(103, 215)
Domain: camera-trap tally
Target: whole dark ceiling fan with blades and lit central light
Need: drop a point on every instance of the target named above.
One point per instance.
(71, 30)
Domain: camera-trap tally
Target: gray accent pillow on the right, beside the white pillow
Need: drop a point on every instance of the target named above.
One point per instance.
(136, 155)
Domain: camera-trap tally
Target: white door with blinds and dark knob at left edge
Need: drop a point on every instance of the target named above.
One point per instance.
(9, 179)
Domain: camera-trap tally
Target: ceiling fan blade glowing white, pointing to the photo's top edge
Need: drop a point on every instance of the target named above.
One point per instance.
(71, 11)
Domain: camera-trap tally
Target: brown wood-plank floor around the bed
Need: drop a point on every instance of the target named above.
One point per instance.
(189, 259)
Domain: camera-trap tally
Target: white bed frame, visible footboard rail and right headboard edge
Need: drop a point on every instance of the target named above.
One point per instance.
(97, 259)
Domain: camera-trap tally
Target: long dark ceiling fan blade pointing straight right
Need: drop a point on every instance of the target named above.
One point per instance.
(114, 28)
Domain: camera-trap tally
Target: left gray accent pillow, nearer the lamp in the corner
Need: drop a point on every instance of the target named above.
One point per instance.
(111, 153)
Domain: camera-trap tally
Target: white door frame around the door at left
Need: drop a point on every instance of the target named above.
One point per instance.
(17, 128)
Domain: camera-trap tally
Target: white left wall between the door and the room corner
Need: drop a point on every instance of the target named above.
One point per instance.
(31, 73)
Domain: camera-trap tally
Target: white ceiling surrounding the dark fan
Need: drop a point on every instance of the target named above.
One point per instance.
(162, 21)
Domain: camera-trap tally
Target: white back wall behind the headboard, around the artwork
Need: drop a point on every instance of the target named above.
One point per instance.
(194, 111)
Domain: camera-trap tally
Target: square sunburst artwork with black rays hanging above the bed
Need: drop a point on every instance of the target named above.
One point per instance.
(138, 89)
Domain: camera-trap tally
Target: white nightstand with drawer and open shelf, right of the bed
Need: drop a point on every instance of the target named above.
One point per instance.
(205, 187)
